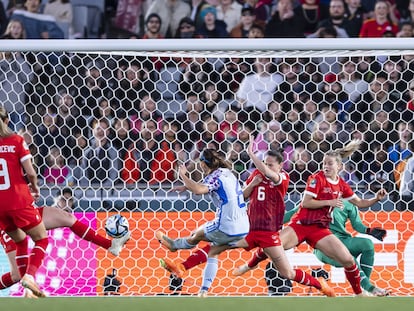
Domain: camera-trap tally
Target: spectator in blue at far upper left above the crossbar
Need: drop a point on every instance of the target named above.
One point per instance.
(37, 26)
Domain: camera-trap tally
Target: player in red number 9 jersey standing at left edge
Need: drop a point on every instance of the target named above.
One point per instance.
(18, 216)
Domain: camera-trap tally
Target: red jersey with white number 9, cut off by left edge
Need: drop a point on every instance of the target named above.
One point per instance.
(14, 191)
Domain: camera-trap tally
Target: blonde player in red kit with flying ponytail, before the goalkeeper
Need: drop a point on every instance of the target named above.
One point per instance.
(324, 191)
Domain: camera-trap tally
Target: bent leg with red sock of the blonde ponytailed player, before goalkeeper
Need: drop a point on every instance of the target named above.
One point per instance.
(331, 246)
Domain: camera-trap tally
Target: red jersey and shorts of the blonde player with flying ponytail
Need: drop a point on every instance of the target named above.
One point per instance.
(322, 188)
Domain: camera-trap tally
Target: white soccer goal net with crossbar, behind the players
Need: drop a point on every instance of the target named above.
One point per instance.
(112, 120)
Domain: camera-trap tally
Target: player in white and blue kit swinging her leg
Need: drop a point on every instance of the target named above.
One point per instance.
(231, 222)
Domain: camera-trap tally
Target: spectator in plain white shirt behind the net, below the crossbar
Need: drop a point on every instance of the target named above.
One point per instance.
(256, 90)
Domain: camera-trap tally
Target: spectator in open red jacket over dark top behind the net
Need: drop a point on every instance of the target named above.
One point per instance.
(150, 159)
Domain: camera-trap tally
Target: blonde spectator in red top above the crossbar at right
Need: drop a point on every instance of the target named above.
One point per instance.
(382, 21)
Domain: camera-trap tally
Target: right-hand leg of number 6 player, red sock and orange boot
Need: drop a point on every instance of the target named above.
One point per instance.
(281, 263)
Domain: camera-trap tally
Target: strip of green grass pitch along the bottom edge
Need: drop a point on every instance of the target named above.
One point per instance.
(209, 304)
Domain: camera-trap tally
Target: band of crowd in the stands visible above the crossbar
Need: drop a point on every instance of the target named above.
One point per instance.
(157, 19)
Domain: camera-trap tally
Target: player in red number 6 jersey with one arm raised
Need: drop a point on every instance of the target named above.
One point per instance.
(266, 189)
